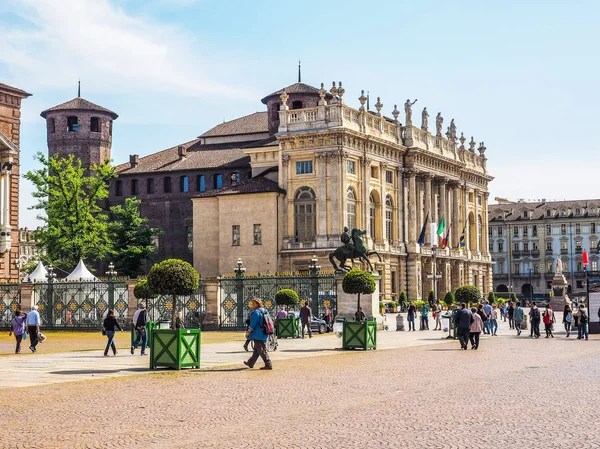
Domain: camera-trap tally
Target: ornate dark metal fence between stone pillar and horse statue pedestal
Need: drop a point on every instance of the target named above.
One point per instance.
(236, 293)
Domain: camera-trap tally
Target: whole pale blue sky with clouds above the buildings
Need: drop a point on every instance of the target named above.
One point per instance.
(519, 75)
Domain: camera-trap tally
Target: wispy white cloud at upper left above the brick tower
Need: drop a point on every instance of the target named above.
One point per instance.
(107, 48)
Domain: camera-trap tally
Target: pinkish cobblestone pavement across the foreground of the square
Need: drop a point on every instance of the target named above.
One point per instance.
(512, 393)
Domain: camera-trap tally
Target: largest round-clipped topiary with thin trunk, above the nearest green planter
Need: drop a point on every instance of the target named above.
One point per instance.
(173, 277)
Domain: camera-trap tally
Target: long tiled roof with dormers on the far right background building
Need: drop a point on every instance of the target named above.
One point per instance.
(537, 210)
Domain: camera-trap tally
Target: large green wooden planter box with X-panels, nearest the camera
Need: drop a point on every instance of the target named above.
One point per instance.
(175, 348)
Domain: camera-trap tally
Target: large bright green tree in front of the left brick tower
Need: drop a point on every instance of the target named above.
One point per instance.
(75, 226)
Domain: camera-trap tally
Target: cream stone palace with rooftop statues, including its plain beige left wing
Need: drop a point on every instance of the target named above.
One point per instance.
(329, 165)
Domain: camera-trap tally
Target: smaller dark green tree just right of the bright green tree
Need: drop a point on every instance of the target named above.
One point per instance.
(132, 237)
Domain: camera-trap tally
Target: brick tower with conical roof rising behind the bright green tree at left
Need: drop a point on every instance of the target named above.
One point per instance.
(81, 128)
